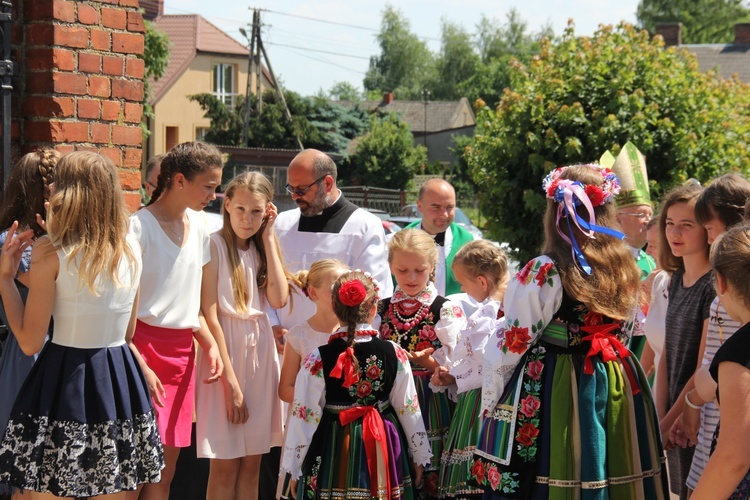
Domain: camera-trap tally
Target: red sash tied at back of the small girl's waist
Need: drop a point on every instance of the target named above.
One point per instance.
(373, 434)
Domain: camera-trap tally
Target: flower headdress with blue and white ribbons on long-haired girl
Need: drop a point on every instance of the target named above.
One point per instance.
(570, 195)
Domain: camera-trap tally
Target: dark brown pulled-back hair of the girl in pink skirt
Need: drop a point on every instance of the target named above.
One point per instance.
(189, 159)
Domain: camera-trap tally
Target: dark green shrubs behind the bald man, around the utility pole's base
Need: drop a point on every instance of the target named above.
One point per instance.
(319, 124)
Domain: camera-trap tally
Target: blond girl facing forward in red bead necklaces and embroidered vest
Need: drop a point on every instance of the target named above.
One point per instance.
(427, 326)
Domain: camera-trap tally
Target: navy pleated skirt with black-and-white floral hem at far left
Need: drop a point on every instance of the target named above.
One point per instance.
(82, 425)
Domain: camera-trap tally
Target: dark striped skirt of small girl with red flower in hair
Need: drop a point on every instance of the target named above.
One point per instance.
(336, 464)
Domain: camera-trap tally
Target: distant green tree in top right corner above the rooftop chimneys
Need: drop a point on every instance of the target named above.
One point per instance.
(703, 21)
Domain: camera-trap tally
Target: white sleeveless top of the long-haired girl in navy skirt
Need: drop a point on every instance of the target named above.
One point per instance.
(85, 320)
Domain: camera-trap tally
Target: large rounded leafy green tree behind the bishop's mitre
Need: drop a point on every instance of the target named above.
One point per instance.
(585, 95)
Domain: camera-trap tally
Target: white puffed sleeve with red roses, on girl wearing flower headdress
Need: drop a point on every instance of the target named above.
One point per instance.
(533, 296)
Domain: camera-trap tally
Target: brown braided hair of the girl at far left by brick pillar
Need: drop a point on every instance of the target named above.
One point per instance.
(27, 190)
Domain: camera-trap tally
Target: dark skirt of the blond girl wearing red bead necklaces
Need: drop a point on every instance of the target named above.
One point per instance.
(437, 412)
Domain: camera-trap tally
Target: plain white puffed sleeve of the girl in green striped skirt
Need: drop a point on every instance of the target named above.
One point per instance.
(466, 367)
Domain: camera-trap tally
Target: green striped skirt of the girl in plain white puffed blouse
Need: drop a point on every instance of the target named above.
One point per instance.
(458, 455)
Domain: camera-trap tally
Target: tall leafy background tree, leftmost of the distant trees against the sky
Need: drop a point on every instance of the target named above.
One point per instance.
(405, 65)
